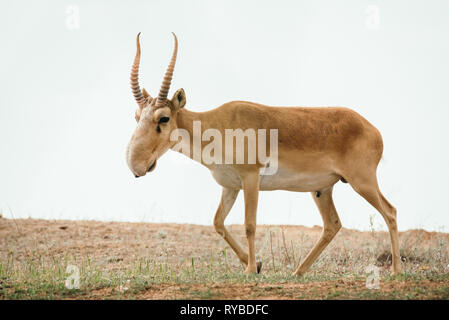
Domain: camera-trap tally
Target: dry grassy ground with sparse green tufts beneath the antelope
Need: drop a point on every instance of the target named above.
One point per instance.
(171, 261)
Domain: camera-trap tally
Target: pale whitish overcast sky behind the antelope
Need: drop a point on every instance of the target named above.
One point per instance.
(67, 112)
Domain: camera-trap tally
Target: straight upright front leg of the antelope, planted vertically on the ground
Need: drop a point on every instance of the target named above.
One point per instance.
(250, 184)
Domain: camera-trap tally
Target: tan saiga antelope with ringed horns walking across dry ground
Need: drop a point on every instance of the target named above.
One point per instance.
(317, 147)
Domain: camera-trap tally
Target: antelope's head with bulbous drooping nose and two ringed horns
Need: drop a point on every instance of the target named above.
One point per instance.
(155, 117)
